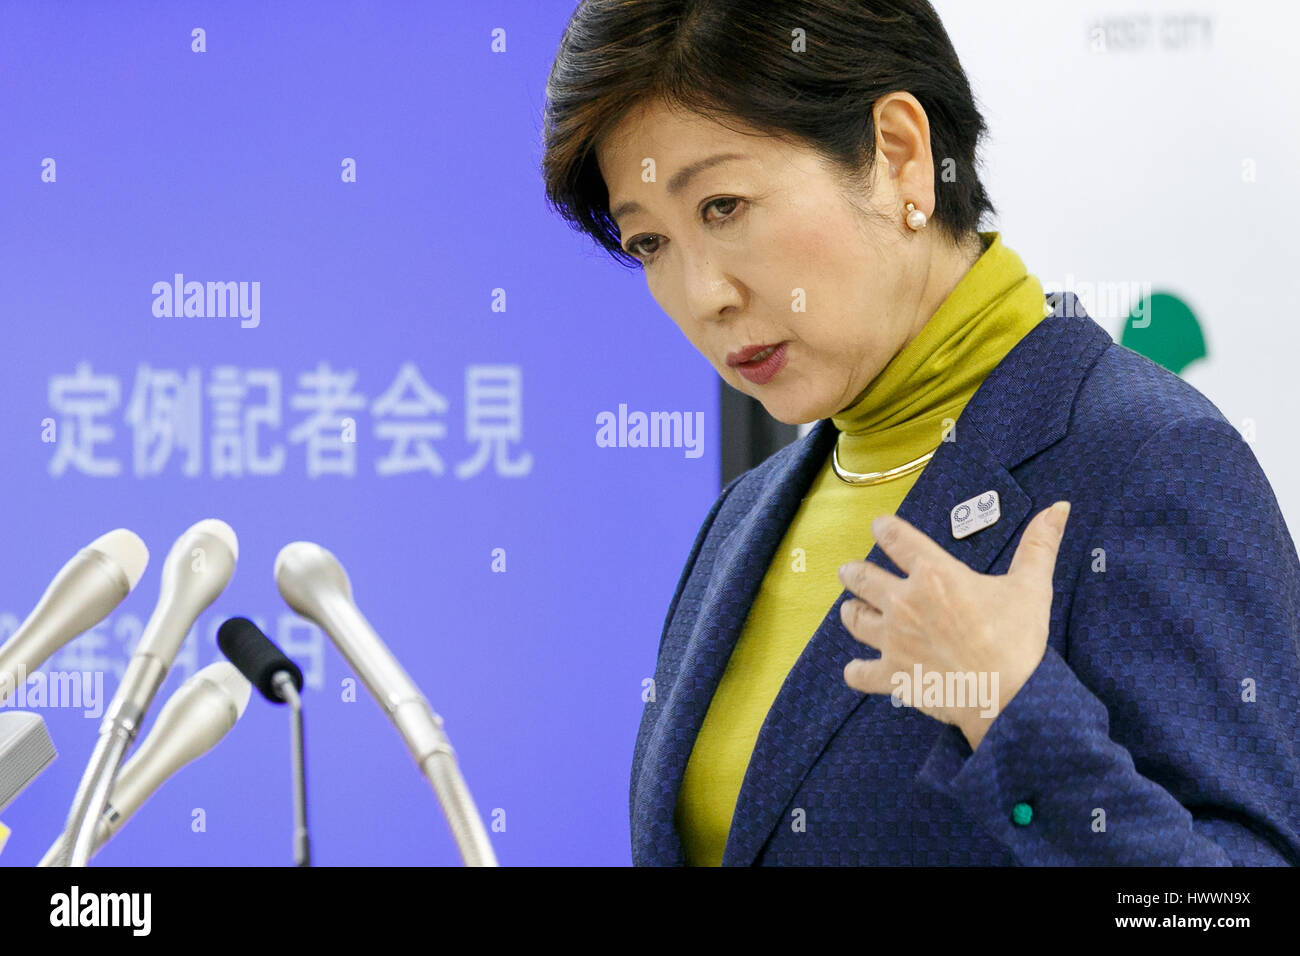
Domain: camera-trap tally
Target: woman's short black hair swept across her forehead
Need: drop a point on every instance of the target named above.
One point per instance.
(736, 60)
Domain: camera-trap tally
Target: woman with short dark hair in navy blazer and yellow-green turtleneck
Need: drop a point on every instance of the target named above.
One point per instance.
(993, 685)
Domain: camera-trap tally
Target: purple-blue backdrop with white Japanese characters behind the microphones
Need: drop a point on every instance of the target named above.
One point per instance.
(437, 304)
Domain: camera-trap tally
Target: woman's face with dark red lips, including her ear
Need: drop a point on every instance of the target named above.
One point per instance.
(765, 249)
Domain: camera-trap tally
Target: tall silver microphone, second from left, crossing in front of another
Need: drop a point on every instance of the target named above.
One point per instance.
(197, 570)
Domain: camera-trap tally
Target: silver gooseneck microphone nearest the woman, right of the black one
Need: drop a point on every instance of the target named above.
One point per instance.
(314, 583)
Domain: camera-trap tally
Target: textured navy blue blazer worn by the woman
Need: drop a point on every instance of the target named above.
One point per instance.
(1163, 724)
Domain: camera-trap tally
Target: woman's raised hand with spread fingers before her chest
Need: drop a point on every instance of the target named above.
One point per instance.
(950, 620)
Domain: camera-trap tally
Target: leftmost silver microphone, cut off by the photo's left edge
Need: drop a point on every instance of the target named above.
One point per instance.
(92, 585)
